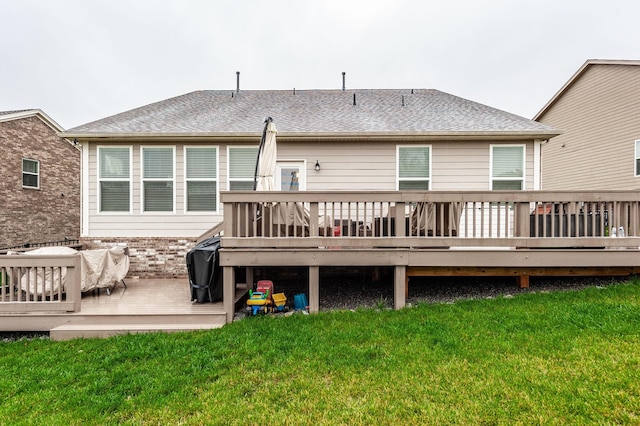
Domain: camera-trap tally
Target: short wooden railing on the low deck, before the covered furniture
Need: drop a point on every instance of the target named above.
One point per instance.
(40, 283)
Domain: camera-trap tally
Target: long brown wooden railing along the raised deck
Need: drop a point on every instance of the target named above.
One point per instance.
(521, 219)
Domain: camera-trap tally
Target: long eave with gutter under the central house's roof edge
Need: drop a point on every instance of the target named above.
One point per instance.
(314, 136)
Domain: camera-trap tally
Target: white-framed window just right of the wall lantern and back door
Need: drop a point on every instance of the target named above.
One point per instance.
(414, 168)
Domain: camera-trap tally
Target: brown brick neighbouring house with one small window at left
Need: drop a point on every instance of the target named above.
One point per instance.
(40, 185)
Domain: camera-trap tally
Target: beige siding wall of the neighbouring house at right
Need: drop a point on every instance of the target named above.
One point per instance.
(599, 115)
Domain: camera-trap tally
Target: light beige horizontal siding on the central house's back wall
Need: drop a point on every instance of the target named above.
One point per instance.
(348, 166)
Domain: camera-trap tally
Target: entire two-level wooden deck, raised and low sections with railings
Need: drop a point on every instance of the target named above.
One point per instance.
(416, 233)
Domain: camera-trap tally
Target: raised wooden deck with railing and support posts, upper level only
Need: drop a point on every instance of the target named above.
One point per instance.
(429, 233)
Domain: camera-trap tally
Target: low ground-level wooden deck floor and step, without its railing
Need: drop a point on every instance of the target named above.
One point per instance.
(142, 306)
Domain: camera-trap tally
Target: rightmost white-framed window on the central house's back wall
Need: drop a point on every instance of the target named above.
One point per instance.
(507, 167)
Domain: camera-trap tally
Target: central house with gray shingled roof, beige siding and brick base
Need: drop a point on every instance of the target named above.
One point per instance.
(152, 176)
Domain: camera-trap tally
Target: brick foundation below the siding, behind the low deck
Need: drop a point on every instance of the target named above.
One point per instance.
(150, 257)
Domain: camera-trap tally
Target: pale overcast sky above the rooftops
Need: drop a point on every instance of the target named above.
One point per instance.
(81, 60)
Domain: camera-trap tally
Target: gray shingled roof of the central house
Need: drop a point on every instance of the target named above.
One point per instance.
(312, 111)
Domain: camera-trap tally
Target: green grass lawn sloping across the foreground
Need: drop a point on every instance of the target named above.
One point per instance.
(552, 358)
